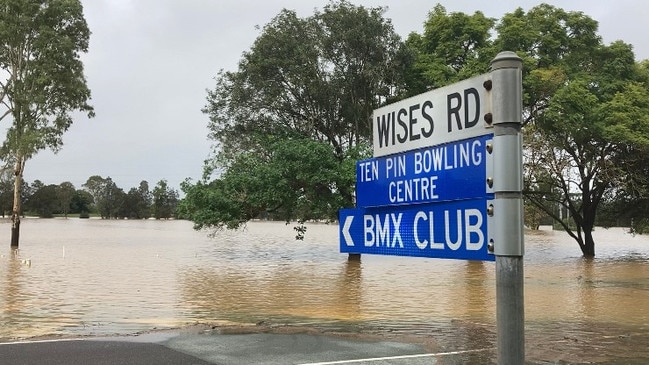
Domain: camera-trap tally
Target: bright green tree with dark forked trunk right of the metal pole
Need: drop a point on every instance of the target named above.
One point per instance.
(585, 106)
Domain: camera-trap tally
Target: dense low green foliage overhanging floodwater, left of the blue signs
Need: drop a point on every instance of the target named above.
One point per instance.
(295, 179)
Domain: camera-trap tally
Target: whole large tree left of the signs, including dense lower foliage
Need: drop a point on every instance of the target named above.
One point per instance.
(307, 84)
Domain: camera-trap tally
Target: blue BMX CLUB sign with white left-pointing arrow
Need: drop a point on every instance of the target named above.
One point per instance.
(455, 230)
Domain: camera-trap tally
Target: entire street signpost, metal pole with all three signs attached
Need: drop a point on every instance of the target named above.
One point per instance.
(423, 194)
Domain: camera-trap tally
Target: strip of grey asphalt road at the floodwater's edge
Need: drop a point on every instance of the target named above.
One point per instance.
(223, 349)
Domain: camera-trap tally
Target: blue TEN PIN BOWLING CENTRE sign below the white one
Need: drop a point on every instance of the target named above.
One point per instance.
(439, 173)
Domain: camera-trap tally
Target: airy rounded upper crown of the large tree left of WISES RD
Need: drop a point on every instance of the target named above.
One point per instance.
(318, 77)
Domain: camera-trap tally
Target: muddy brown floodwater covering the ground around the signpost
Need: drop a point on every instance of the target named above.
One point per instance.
(95, 277)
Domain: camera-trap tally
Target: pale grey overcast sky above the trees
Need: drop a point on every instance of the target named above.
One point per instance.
(151, 61)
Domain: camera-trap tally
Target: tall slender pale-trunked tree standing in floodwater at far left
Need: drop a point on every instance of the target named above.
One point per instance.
(43, 80)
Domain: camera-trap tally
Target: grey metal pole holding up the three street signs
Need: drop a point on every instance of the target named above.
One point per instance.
(506, 72)
